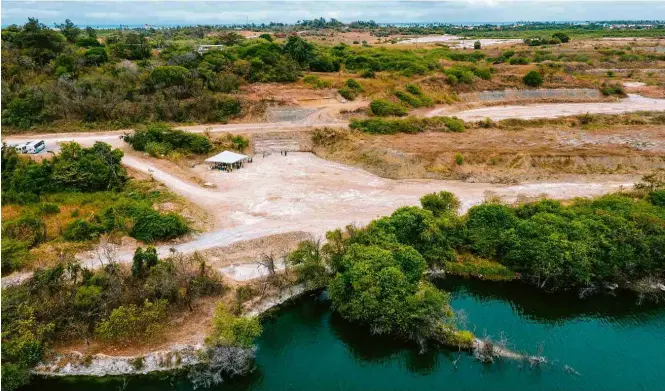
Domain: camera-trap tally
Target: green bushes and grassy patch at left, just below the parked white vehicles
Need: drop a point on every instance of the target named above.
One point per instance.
(75, 196)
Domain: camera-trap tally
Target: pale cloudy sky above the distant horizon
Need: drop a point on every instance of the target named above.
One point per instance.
(105, 13)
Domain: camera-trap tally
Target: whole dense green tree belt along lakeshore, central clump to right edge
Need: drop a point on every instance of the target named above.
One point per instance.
(377, 271)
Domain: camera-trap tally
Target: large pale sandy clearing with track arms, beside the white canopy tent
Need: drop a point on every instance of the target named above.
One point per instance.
(301, 192)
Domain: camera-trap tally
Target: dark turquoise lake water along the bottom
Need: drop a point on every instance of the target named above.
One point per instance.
(601, 343)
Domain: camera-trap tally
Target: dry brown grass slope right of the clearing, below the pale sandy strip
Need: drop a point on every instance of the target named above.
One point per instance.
(508, 152)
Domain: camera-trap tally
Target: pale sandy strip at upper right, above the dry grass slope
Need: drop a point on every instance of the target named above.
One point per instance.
(550, 110)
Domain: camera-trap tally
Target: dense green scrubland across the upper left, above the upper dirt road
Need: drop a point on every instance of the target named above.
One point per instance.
(138, 76)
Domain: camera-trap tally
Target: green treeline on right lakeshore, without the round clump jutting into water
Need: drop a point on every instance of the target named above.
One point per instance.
(618, 238)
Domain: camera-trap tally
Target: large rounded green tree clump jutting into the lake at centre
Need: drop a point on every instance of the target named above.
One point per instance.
(383, 290)
